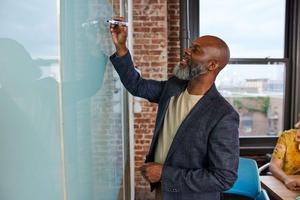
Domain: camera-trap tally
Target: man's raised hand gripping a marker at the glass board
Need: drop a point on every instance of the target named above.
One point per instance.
(119, 36)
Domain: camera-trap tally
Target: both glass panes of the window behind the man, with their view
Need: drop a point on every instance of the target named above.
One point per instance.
(254, 81)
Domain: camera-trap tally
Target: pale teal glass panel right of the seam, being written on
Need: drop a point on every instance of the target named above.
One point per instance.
(92, 102)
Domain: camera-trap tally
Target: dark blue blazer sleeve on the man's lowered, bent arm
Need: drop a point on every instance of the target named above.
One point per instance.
(223, 155)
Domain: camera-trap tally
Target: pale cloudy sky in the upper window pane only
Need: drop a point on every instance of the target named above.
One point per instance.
(252, 28)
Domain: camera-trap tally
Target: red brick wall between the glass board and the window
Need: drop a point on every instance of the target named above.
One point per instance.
(156, 51)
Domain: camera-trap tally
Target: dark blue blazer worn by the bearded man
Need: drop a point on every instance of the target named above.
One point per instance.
(203, 158)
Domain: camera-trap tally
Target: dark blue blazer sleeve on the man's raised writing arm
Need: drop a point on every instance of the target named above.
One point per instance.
(133, 82)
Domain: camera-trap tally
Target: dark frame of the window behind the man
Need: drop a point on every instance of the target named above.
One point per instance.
(259, 145)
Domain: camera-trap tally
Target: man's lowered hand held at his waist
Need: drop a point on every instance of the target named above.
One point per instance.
(152, 172)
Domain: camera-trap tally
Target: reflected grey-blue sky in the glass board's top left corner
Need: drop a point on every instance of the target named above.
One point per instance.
(33, 23)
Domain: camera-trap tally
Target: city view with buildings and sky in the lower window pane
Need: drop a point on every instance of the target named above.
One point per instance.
(259, 98)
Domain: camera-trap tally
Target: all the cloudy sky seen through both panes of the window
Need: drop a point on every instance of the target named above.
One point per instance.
(252, 29)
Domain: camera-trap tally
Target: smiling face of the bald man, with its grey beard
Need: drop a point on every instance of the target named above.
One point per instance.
(193, 64)
